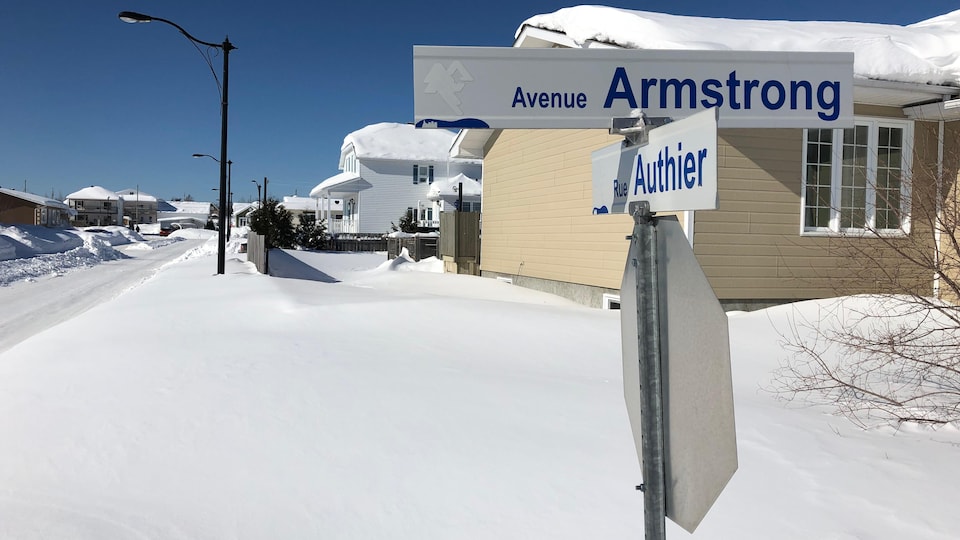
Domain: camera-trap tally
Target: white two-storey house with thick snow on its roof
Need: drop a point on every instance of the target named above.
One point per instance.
(387, 169)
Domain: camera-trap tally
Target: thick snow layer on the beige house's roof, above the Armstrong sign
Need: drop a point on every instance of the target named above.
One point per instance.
(927, 52)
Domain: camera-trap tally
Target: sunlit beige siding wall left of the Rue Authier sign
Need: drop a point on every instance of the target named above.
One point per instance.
(537, 210)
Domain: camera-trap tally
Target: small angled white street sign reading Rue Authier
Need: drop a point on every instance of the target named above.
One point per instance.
(675, 171)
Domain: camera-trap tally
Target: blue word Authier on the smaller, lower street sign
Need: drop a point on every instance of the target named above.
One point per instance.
(668, 172)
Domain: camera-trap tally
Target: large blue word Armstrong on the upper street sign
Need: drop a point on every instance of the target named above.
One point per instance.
(734, 92)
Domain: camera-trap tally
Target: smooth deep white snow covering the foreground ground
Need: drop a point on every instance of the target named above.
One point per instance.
(375, 399)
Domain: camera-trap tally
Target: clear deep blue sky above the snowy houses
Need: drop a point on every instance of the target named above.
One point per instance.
(86, 99)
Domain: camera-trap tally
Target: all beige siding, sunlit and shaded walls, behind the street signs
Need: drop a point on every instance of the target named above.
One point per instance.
(538, 218)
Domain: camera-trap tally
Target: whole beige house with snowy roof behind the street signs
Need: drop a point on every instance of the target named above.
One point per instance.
(803, 213)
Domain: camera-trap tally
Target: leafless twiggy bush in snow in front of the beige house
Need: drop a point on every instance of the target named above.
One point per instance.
(894, 357)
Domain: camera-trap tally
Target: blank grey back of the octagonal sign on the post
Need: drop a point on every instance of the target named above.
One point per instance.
(699, 436)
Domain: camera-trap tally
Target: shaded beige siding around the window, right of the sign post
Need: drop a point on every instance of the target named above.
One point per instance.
(752, 249)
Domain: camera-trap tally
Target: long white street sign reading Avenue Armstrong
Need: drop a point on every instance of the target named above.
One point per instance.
(508, 87)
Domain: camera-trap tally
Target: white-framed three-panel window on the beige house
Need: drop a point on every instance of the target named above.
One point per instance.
(857, 179)
